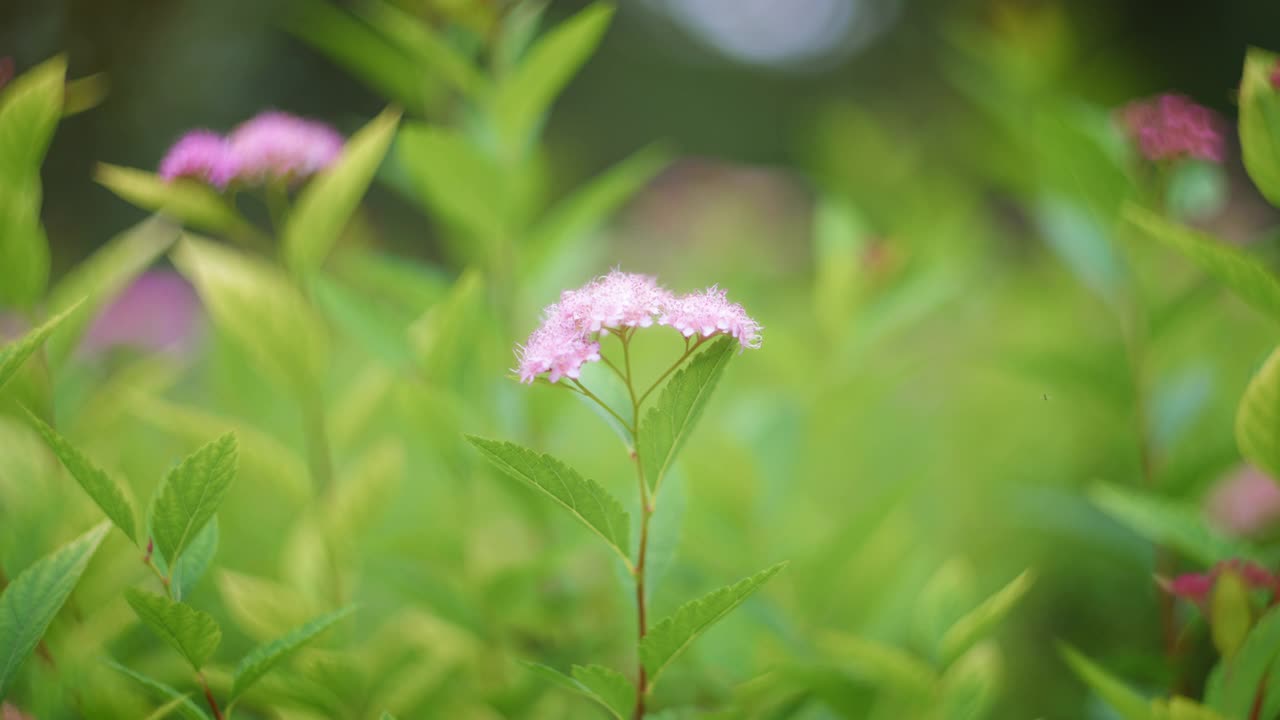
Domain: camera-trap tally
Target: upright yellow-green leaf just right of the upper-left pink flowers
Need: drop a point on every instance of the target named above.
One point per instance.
(331, 199)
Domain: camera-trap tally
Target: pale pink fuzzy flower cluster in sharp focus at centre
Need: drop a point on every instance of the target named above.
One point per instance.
(569, 335)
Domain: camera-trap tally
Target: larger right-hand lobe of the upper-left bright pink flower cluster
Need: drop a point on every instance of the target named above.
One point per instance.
(281, 147)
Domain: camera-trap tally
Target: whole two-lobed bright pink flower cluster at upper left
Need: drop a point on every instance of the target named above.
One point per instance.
(272, 147)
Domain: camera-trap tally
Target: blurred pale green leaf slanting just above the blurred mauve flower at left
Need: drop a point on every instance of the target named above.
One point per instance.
(99, 279)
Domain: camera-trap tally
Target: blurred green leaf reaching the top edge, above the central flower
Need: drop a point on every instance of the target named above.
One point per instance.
(524, 97)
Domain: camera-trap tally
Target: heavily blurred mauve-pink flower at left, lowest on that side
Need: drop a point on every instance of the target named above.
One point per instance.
(159, 313)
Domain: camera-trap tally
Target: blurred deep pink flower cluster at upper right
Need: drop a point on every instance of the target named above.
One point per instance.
(1171, 127)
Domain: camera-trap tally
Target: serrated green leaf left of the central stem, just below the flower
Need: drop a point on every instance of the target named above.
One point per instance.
(584, 499)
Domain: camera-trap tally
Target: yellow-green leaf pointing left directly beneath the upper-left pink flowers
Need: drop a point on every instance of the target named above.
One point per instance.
(189, 202)
